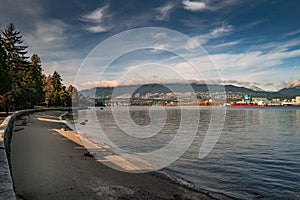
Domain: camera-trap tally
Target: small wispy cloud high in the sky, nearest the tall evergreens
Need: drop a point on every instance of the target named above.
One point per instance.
(96, 20)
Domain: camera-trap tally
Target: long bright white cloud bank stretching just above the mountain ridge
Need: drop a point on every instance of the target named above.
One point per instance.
(247, 69)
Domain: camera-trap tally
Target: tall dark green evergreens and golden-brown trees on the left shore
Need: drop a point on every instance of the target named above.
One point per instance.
(22, 83)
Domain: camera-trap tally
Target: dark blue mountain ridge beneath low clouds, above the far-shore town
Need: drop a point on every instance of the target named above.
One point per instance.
(179, 87)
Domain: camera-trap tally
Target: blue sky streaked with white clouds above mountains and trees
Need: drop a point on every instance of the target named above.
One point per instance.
(108, 43)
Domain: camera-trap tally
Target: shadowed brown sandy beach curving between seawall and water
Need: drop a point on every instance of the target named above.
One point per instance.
(49, 162)
